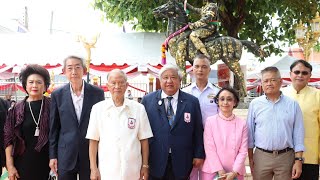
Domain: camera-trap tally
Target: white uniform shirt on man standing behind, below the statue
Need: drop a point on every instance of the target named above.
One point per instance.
(207, 105)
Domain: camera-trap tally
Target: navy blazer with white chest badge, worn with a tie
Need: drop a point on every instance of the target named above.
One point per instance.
(185, 138)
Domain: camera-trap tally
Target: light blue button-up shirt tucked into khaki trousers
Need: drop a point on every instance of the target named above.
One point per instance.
(275, 126)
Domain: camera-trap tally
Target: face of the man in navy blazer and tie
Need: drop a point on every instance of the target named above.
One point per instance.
(170, 82)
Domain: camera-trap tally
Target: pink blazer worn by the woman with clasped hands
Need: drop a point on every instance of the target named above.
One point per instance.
(226, 145)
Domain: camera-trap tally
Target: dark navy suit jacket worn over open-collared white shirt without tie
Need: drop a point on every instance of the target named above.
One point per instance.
(67, 136)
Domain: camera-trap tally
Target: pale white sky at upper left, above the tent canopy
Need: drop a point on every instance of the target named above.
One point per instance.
(70, 16)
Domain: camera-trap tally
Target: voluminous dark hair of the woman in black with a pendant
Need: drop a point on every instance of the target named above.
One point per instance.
(34, 69)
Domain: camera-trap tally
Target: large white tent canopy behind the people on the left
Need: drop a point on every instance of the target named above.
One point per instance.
(120, 48)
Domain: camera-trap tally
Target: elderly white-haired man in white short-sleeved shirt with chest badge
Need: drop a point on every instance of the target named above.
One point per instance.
(119, 130)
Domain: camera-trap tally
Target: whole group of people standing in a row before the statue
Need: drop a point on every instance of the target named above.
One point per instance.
(172, 134)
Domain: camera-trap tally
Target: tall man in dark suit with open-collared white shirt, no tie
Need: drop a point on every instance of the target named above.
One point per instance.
(69, 118)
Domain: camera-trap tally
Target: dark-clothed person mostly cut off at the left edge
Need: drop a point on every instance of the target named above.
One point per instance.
(3, 114)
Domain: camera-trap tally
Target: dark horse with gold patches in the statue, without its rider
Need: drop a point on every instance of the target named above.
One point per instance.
(226, 48)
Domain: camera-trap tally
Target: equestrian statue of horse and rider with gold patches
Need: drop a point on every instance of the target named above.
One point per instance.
(185, 40)
